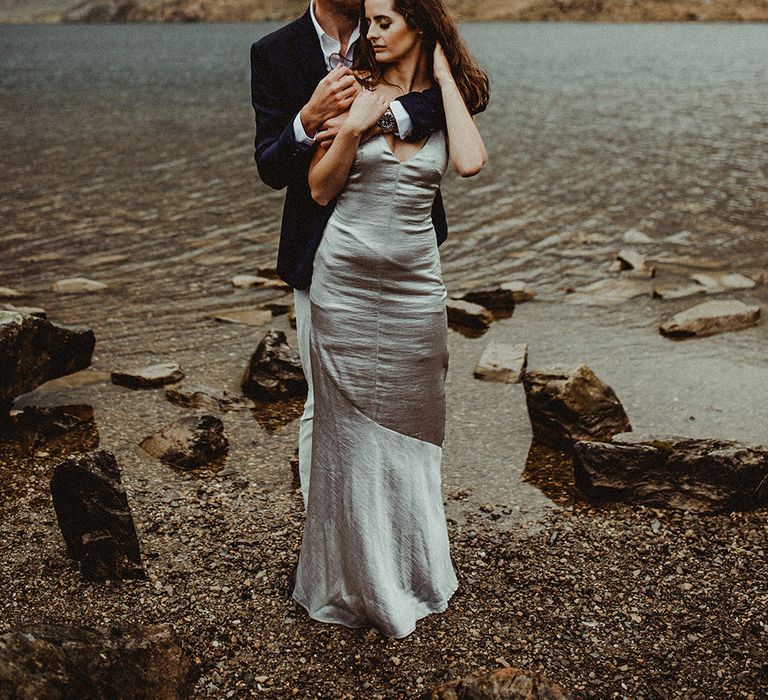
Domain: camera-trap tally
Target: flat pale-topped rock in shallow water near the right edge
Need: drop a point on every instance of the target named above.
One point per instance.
(711, 317)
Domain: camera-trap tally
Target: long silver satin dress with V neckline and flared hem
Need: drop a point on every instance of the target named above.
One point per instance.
(375, 548)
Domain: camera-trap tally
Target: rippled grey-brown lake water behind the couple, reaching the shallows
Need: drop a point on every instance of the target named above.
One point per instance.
(127, 157)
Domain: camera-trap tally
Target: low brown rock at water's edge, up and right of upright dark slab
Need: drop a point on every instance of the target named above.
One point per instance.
(189, 442)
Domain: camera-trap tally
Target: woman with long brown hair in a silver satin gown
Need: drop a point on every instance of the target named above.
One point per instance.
(375, 548)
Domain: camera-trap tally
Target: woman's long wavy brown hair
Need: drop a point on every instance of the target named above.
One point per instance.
(431, 17)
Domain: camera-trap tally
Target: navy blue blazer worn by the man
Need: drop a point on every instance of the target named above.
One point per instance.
(286, 67)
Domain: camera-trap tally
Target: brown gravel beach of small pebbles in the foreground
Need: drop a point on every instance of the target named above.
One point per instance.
(616, 601)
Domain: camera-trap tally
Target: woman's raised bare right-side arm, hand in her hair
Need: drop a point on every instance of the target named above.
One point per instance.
(466, 147)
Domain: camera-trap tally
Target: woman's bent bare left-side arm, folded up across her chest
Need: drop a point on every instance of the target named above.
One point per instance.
(329, 169)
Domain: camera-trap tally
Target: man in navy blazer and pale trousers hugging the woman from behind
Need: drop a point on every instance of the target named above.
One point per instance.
(300, 84)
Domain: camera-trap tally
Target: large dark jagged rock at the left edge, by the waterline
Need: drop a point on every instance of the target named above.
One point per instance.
(34, 350)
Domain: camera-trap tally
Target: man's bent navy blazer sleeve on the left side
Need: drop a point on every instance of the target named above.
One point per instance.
(280, 159)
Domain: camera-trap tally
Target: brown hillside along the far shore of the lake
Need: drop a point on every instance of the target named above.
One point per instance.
(255, 10)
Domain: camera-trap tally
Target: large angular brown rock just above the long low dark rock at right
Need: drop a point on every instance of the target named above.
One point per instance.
(566, 404)
